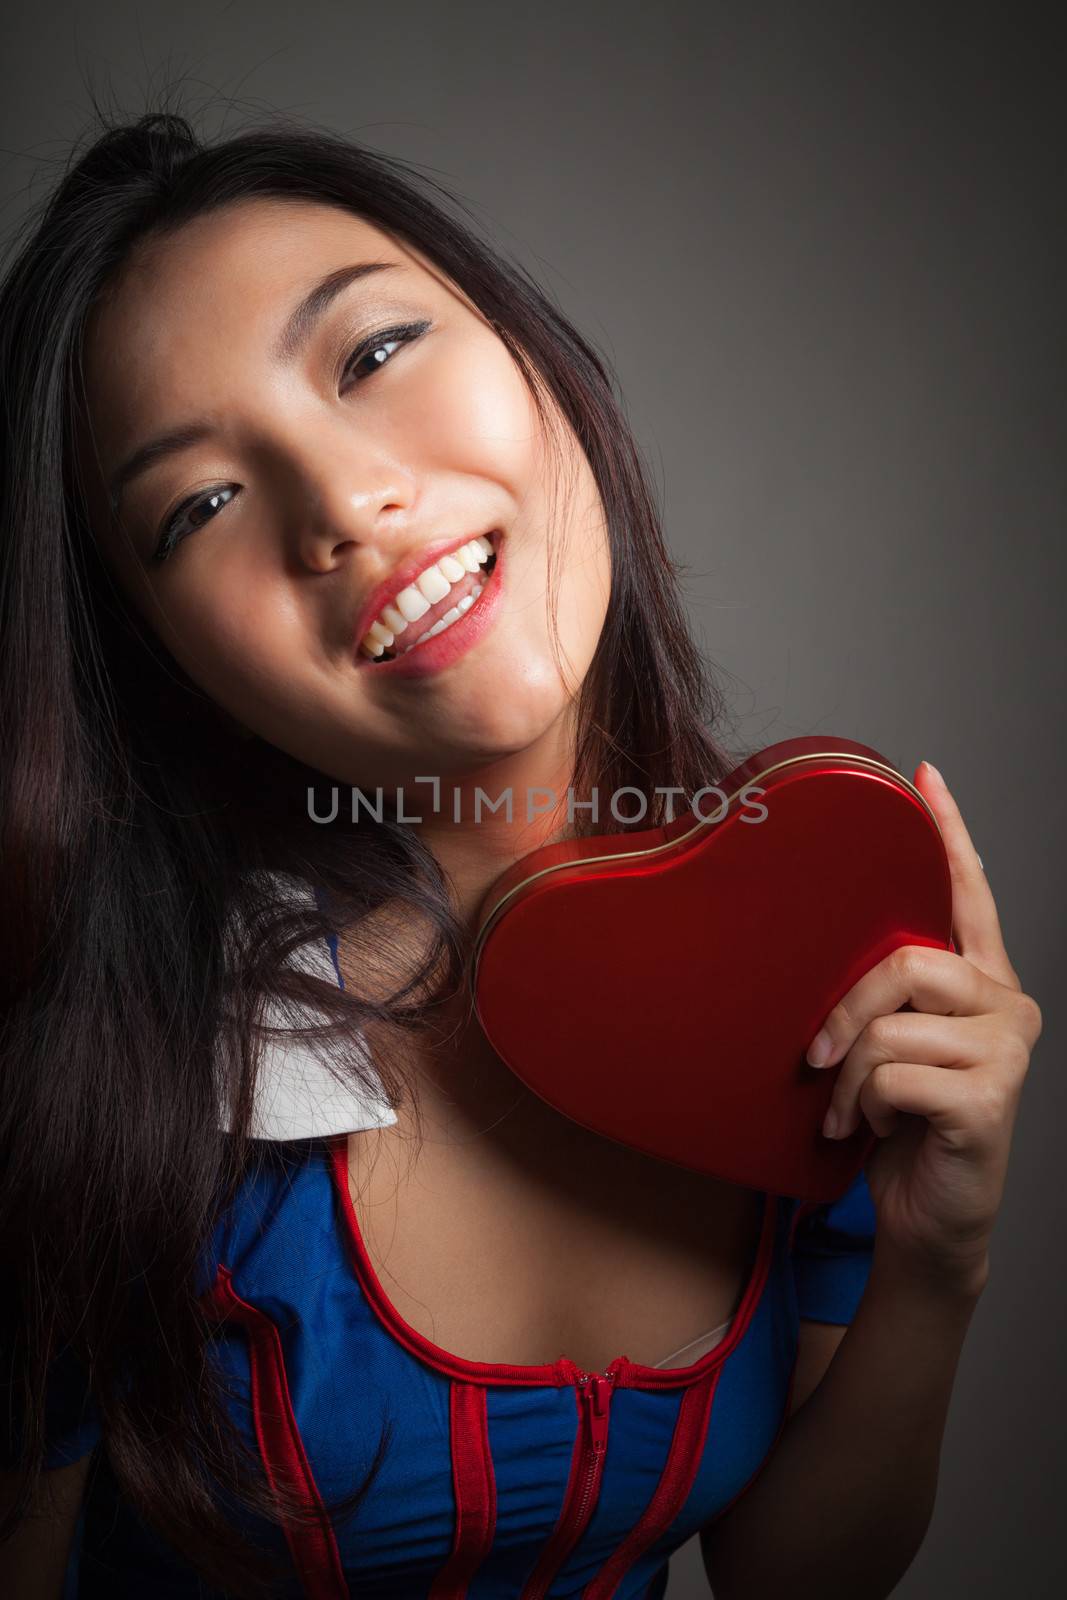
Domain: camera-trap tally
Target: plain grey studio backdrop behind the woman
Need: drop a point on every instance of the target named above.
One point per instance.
(823, 247)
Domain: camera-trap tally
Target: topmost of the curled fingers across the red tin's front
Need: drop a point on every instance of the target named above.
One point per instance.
(929, 980)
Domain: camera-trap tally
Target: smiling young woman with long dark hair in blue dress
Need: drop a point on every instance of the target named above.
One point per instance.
(306, 492)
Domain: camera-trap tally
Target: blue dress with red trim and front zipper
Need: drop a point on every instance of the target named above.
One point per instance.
(498, 1482)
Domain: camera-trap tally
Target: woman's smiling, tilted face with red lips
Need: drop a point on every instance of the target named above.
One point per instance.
(318, 481)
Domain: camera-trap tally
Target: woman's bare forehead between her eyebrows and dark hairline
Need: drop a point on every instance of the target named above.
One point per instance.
(215, 292)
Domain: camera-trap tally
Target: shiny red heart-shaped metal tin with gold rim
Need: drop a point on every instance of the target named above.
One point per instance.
(663, 988)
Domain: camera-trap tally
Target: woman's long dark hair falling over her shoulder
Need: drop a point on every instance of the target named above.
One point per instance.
(143, 849)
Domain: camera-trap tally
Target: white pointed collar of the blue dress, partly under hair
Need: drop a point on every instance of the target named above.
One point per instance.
(297, 1095)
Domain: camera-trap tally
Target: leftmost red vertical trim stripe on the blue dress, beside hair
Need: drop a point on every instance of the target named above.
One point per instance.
(314, 1550)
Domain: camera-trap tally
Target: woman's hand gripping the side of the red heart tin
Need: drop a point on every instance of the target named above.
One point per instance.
(940, 1084)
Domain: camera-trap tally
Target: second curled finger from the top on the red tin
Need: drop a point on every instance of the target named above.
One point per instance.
(906, 1036)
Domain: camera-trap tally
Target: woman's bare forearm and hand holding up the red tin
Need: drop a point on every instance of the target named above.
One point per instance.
(941, 1087)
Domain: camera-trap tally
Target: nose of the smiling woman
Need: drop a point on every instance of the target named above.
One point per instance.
(350, 497)
